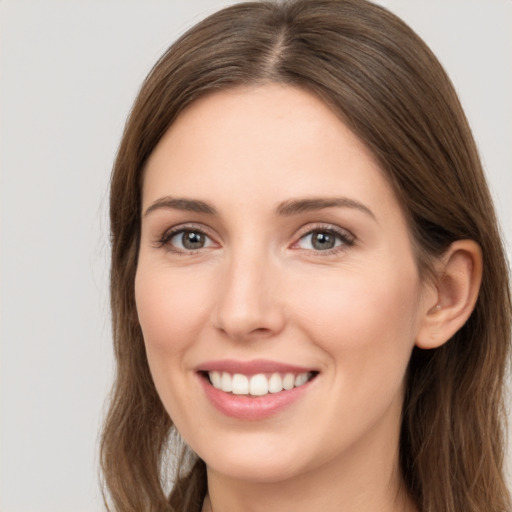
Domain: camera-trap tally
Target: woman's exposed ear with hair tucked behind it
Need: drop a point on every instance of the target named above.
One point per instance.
(453, 294)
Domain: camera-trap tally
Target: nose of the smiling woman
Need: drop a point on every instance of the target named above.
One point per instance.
(249, 303)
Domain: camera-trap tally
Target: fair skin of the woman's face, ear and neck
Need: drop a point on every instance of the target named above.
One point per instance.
(269, 232)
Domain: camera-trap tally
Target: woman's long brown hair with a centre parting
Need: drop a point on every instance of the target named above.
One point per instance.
(388, 87)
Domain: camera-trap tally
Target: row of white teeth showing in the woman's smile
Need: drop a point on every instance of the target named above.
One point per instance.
(257, 385)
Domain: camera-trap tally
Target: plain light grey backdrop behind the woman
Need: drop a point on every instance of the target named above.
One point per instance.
(70, 70)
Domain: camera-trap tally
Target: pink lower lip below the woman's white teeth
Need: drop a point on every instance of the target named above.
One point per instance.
(253, 408)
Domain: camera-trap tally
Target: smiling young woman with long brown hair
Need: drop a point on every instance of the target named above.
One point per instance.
(308, 284)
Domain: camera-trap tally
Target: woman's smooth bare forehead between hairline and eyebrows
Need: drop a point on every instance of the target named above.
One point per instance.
(270, 142)
